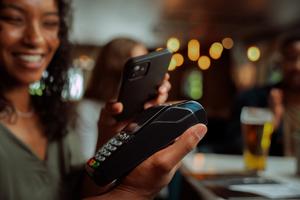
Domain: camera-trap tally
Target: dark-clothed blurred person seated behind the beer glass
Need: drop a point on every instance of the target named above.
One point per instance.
(282, 98)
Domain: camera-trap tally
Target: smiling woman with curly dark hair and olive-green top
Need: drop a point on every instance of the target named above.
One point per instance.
(33, 38)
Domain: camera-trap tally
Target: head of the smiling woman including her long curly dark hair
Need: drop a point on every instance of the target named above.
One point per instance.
(31, 32)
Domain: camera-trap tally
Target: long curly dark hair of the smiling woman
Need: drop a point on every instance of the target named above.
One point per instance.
(53, 111)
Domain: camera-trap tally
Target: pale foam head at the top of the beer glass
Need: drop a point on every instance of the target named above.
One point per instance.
(255, 115)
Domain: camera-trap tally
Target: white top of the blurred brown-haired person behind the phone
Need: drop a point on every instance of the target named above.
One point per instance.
(86, 125)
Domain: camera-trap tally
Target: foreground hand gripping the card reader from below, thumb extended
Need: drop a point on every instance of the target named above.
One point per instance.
(147, 179)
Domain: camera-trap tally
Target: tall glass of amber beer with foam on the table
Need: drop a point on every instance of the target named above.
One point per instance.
(257, 128)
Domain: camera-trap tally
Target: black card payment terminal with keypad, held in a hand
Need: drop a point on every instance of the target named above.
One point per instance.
(152, 130)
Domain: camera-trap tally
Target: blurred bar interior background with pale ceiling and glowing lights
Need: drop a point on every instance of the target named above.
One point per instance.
(220, 47)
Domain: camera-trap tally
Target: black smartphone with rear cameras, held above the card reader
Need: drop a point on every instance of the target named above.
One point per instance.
(140, 80)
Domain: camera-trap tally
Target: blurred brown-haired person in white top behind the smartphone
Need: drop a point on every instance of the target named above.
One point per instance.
(103, 87)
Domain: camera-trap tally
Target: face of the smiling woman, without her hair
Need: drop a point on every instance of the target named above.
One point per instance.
(30, 39)
